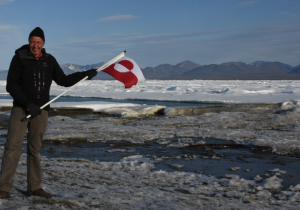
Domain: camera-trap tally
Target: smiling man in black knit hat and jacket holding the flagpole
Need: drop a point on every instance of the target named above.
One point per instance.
(28, 81)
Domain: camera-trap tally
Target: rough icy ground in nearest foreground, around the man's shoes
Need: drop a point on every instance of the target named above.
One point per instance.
(130, 184)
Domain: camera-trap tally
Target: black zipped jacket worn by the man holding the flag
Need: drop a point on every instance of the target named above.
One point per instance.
(29, 80)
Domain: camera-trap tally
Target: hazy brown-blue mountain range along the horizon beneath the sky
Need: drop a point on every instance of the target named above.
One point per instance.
(190, 70)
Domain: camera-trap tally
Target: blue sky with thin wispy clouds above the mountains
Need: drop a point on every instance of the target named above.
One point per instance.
(156, 31)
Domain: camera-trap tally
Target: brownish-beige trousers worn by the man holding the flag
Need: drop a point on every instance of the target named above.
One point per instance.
(13, 149)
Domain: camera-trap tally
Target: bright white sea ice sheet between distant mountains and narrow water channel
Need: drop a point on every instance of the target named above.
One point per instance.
(244, 91)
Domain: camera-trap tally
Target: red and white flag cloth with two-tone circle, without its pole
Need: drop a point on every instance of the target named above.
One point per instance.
(127, 71)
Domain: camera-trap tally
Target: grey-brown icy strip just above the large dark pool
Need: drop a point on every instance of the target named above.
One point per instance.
(278, 129)
